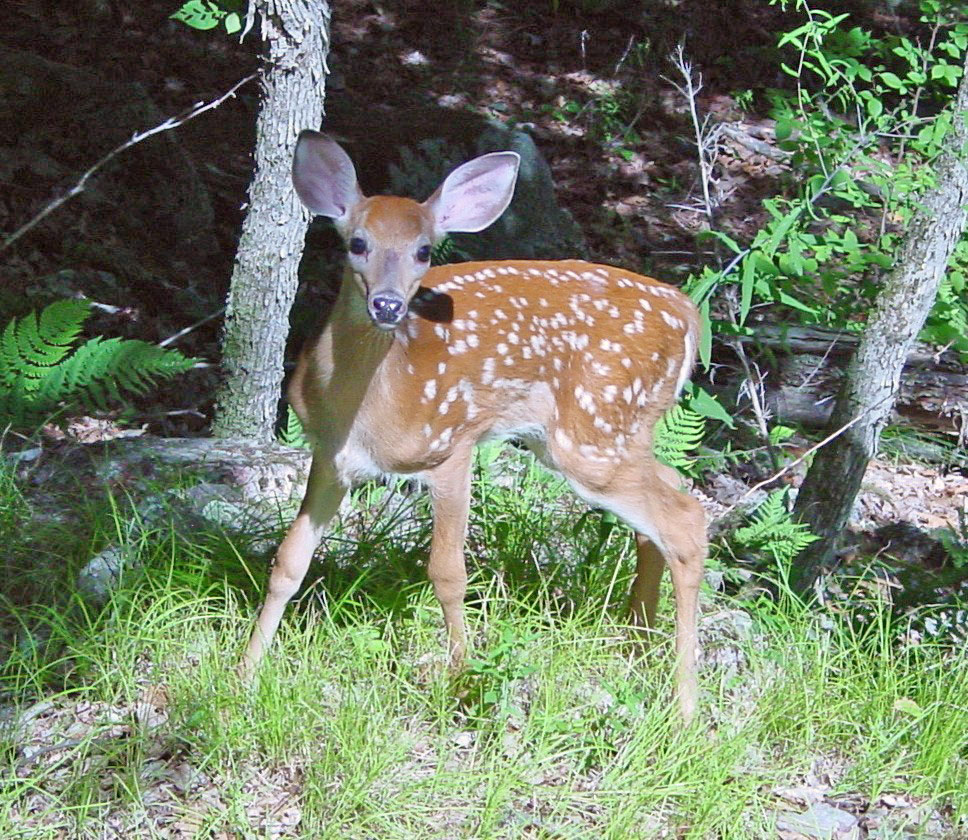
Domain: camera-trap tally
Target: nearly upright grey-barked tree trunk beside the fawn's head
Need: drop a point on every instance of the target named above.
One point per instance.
(264, 278)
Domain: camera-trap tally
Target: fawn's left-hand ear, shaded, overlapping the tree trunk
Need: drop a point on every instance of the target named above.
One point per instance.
(324, 177)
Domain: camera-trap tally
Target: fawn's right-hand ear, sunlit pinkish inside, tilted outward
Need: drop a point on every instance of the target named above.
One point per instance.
(475, 194)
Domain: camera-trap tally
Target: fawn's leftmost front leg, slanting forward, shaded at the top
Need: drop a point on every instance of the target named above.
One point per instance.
(323, 495)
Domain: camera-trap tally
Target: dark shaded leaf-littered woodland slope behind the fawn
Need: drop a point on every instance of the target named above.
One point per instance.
(155, 235)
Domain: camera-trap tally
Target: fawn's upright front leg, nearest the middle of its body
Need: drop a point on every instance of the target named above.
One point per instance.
(450, 494)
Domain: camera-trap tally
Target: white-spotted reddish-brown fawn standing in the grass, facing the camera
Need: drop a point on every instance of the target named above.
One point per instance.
(418, 364)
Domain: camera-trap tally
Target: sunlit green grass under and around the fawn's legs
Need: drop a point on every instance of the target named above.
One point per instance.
(560, 728)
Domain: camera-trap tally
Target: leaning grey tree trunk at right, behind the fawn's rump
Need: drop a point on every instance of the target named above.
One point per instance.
(871, 385)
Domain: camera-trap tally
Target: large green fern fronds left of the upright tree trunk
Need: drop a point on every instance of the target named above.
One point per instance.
(42, 373)
